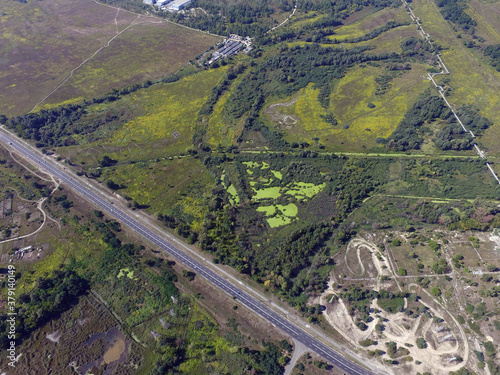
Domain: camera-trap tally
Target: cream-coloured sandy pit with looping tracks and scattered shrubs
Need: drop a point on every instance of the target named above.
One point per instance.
(445, 340)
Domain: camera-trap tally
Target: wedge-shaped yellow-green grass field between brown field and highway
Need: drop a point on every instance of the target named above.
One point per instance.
(155, 114)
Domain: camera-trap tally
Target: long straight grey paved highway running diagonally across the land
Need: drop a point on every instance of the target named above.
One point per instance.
(230, 288)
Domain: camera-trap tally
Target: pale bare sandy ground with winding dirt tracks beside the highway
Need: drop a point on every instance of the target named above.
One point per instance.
(445, 339)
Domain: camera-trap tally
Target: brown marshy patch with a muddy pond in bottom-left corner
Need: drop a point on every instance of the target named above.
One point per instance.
(86, 337)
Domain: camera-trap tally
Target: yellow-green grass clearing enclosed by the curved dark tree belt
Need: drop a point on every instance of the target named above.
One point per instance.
(349, 104)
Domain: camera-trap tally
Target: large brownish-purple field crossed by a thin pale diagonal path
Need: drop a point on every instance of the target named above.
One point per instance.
(42, 42)
